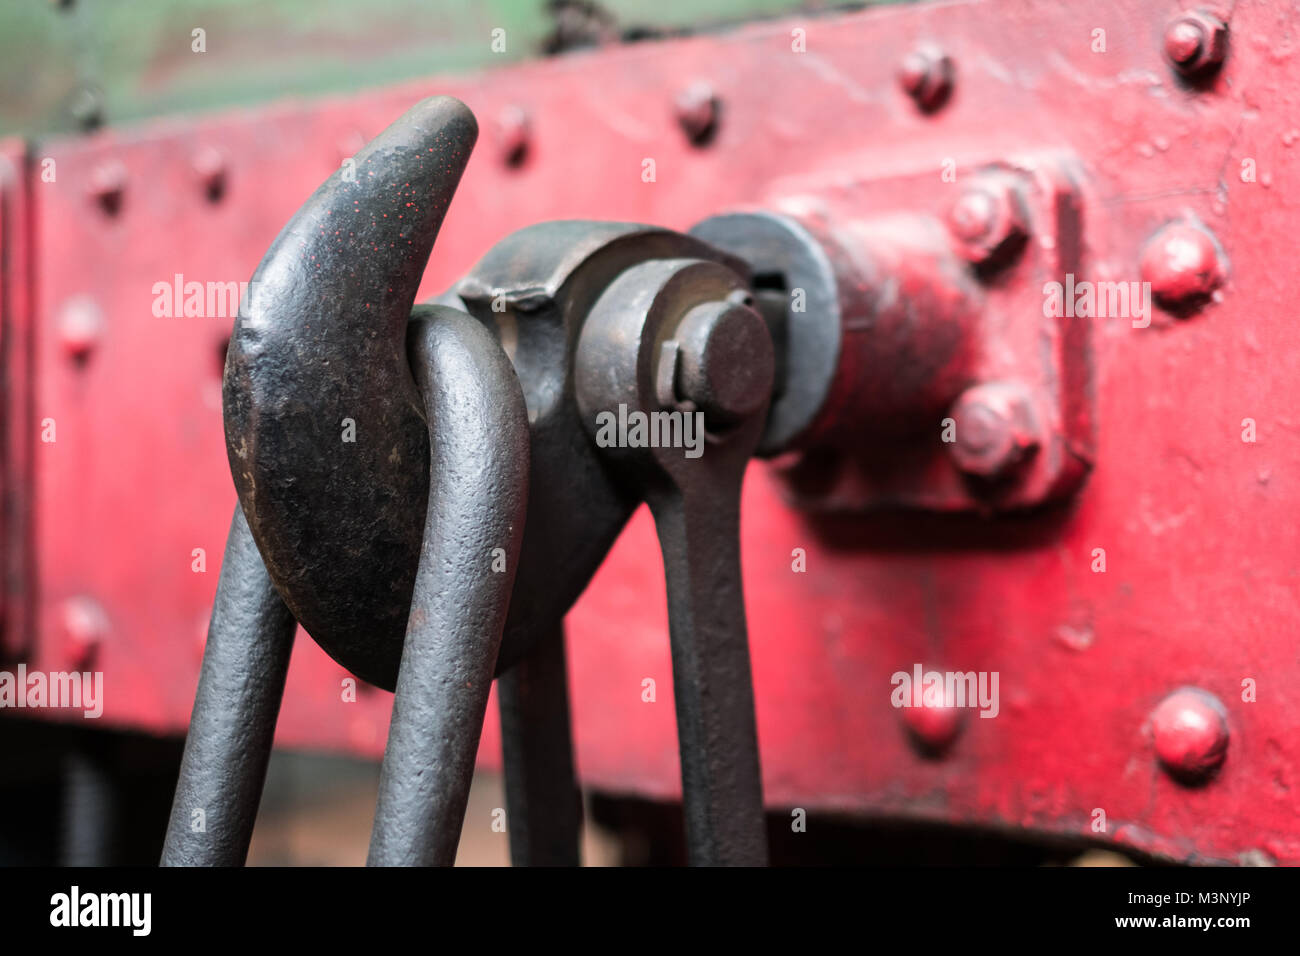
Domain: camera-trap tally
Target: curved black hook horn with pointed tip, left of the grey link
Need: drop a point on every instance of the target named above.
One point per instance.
(324, 431)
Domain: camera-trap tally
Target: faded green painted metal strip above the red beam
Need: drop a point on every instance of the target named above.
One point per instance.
(132, 59)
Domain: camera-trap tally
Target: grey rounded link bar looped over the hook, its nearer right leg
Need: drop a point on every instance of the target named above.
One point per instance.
(469, 559)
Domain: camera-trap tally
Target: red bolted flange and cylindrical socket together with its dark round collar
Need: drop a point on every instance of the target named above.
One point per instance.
(904, 299)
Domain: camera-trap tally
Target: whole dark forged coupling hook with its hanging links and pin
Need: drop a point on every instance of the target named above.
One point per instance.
(439, 548)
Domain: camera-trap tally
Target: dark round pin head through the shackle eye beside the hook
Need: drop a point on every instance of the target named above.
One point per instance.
(723, 361)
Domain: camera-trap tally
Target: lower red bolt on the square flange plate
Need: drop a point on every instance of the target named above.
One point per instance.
(996, 430)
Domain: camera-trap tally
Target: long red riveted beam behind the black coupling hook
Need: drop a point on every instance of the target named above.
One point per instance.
(1173, 566)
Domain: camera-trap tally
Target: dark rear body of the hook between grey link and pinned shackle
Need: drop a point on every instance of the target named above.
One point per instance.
(535, 288)
